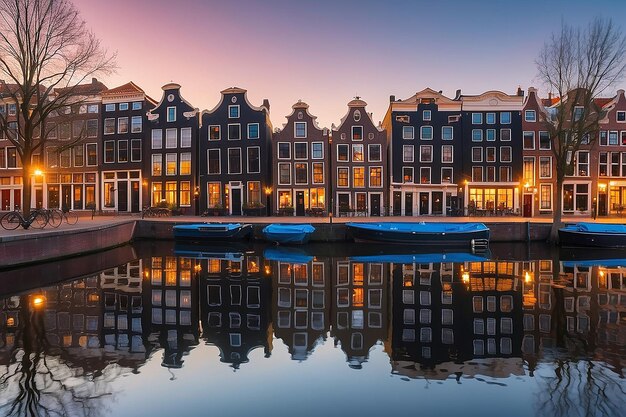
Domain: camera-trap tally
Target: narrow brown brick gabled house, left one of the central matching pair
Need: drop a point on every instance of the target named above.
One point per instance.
(301, 169)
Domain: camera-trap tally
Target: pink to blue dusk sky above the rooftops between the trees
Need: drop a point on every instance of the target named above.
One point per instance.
(327, 52)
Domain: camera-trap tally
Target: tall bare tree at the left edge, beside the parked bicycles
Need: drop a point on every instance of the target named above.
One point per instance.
(46, 51)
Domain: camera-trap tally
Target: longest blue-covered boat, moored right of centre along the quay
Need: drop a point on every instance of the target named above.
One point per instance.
(432, 233)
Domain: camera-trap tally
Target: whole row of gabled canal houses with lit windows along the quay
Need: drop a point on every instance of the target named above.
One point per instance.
(120, 150)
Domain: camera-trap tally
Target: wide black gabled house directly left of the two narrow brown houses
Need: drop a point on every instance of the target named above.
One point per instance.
(235, 155)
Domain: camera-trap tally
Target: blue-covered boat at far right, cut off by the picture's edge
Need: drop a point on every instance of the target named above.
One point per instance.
(602, 235)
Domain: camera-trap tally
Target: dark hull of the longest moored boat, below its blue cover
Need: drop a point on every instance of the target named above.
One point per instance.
(416, 237)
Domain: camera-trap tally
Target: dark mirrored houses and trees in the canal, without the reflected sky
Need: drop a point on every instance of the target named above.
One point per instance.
(561, 323)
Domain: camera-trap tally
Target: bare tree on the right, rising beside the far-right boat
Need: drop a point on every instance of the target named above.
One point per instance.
(578, 65)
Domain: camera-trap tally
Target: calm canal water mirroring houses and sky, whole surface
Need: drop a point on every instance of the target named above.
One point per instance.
(161, 329)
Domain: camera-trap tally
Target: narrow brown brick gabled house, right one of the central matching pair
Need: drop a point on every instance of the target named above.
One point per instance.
(358, 160)
